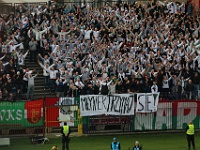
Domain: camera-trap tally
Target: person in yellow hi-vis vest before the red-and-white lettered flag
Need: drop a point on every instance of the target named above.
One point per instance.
(190, 135)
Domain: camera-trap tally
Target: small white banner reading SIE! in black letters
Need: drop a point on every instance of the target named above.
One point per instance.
(147, 102)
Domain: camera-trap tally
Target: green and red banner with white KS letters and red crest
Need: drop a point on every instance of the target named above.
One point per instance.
(21, 114)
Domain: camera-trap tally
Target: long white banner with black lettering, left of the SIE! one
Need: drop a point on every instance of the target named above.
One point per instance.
(118, 104)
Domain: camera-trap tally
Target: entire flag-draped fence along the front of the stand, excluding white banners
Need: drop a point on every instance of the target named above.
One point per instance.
(45, 116)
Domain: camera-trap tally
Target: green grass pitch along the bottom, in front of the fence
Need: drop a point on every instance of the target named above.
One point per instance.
(165, 141)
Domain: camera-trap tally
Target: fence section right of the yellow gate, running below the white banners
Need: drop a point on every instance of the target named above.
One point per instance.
(169, 116)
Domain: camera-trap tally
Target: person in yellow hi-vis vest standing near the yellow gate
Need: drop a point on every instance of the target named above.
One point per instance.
(65, 136)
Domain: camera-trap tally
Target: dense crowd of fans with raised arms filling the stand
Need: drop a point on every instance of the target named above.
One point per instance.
(118, 48)
